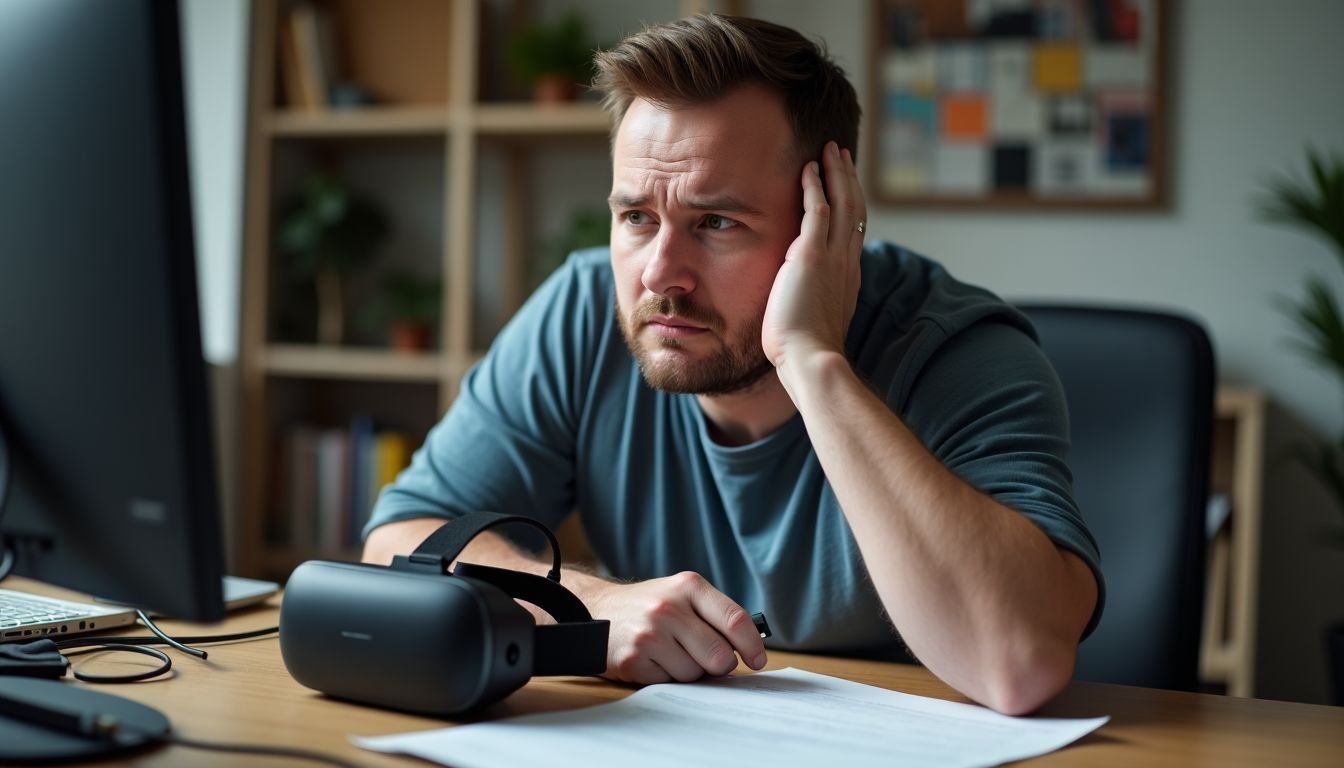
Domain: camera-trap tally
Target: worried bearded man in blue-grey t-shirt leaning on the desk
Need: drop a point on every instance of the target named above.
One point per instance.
(843, 438)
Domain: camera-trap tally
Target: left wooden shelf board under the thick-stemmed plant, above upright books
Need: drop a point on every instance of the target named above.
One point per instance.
(351, 364)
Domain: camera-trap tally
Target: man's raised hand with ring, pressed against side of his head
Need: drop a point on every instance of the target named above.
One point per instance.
(818, 287)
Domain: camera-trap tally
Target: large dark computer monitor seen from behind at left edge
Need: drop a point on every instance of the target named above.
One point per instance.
(103, 385)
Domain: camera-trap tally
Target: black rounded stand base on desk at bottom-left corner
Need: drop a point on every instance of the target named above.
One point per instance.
(24, 740)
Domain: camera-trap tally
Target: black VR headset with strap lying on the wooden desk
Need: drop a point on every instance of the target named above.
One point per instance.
(416, 638)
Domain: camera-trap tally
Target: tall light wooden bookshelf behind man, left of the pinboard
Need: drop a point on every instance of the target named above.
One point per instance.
(466, 170)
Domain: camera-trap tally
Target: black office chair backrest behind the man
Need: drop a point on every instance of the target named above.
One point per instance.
(1140, 389)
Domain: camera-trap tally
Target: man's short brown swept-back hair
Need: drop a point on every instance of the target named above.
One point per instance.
(701, 59)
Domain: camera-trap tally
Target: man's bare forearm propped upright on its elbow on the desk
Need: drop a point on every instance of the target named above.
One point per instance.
(983, 598)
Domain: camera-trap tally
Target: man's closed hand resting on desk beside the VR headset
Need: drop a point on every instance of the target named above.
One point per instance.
(674, 629)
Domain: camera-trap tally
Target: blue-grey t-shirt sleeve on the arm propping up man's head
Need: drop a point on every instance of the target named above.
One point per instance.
(991, 408)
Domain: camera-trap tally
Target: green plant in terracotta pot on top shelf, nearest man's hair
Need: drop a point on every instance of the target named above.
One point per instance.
(553, 59)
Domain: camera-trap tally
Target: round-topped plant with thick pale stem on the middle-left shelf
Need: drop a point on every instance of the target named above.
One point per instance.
(326, 232)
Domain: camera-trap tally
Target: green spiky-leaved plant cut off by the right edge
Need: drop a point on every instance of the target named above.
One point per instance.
(1318, 206)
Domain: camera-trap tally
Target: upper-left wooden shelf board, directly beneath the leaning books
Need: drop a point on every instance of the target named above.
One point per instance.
(357, 123)
